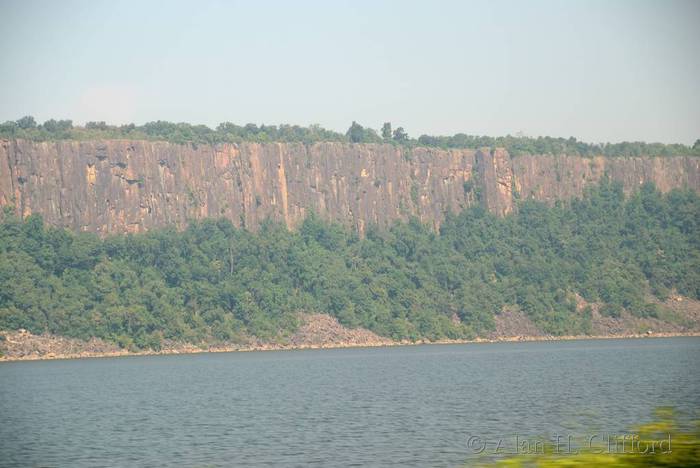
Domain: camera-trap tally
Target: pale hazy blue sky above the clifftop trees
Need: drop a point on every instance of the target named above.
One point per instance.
(609, 70)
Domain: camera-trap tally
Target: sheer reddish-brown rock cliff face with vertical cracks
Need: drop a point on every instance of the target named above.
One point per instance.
(131, 186)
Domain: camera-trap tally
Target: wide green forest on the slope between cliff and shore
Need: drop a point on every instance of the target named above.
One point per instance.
(214, 282)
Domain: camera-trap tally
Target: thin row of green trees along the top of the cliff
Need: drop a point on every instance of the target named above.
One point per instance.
(184, 133)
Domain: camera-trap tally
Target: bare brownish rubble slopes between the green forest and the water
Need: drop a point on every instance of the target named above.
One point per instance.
(323, 331)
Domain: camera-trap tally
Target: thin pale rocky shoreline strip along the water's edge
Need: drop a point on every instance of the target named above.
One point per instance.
(191, 349)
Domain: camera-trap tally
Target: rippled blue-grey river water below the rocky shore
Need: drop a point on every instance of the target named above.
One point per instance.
(394, 406)
